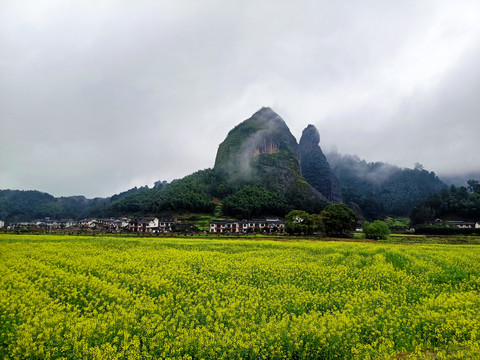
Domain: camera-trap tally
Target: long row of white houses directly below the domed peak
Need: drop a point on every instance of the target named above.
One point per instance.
(244, 226)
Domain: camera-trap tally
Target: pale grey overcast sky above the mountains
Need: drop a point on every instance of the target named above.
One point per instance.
(98, 96)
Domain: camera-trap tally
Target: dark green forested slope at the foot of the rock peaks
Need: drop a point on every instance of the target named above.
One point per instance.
(201, 191)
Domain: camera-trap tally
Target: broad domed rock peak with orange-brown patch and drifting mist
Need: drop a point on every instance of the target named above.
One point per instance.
(262, 151)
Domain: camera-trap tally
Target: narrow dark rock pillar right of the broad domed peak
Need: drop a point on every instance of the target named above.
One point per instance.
(315, 168)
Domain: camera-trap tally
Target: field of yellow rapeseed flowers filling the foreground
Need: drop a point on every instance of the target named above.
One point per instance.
(147, 298)
